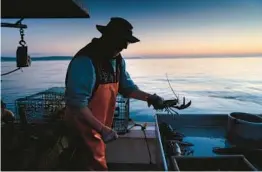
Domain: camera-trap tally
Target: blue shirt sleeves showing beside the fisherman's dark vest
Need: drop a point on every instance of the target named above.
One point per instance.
(81, 78)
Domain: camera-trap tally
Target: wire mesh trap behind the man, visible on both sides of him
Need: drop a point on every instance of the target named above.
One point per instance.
(42, 105)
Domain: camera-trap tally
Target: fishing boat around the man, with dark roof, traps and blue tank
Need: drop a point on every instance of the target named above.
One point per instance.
(173, 142)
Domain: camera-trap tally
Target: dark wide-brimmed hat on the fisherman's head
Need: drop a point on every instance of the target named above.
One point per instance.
(119, 27)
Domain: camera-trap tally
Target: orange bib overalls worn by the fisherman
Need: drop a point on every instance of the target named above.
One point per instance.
(90, 148)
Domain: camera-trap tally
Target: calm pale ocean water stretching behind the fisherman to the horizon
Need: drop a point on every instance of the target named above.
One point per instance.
(215, 85)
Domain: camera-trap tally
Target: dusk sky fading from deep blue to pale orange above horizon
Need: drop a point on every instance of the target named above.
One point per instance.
(165, 28)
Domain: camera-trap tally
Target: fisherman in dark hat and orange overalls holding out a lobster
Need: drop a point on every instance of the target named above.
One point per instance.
(95, 76)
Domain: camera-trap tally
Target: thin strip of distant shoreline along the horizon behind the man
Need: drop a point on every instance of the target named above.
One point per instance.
(55, 58)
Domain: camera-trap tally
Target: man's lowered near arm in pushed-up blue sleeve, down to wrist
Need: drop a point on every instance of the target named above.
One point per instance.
(80, 83)
